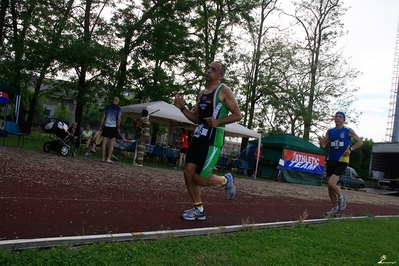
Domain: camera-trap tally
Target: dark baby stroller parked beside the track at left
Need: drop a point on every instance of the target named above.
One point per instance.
(60, 129)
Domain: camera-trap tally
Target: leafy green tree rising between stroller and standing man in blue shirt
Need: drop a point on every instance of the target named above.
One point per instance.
(88, 55)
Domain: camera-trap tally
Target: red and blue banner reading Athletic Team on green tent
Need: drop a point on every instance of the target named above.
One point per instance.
(303, 161)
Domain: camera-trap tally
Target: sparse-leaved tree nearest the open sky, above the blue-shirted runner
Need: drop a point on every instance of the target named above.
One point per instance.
(321, 85)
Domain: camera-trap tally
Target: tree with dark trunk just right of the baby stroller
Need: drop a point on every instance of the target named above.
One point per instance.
(91, 43)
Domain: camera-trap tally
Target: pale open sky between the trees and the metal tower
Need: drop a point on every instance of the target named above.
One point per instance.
(370, 48)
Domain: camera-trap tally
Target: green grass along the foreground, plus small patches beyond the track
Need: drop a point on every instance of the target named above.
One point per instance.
(347, 242)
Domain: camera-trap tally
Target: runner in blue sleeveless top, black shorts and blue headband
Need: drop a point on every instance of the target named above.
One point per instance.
(339, 139)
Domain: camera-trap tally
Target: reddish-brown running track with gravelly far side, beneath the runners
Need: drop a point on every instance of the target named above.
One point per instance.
(47, 195)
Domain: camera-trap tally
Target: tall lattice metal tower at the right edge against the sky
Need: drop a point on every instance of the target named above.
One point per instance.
(392, 132)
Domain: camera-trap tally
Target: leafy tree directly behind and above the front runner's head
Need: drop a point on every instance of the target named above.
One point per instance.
(213, 28)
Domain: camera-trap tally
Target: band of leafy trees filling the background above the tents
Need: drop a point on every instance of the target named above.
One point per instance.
(283, 66)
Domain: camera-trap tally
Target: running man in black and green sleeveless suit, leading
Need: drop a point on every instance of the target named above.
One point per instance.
(216, 106)
